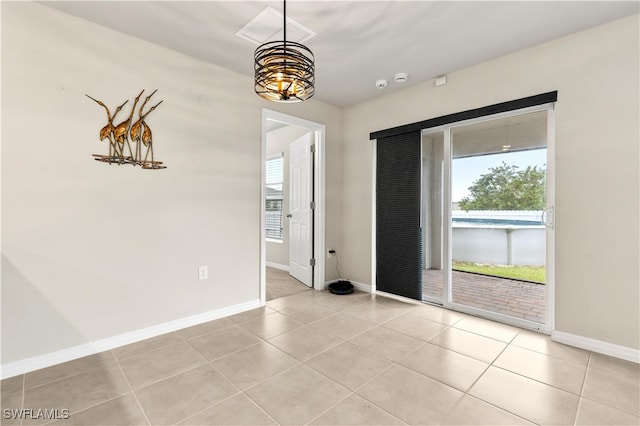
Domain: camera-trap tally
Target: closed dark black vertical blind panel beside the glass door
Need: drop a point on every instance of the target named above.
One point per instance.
(398, 186)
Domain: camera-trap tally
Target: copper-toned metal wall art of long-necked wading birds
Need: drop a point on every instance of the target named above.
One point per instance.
(124, 133)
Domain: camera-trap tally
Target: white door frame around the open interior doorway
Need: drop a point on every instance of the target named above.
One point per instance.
(319, 136)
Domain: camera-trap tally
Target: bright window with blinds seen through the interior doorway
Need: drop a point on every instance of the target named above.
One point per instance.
(274, 197)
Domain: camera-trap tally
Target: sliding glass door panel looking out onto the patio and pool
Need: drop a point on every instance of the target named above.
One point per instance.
(485, 222)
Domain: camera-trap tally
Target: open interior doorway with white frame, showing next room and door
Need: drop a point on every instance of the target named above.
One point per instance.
(292, 220)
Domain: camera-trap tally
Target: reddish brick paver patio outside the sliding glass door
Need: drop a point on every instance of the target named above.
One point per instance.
(510, 297)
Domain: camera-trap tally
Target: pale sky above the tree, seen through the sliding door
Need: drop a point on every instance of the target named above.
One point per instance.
(466, 170)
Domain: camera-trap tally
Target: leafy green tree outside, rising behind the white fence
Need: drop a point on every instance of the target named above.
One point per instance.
(506, 188)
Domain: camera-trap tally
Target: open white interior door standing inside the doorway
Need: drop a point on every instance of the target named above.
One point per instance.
(300, 214)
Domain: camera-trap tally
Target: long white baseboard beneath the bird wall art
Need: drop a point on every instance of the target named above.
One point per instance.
(69, 354)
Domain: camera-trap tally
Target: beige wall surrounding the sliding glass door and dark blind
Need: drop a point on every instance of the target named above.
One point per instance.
(597, 132)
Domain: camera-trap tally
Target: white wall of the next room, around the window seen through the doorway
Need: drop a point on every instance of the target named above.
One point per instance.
(278, 141)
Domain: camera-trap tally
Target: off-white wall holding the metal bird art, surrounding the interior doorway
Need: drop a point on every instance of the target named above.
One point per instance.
(91, 251)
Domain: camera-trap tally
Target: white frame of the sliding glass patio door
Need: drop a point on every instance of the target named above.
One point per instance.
(447, 233)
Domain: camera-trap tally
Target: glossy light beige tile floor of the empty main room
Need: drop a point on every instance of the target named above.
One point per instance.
(318, 358)
